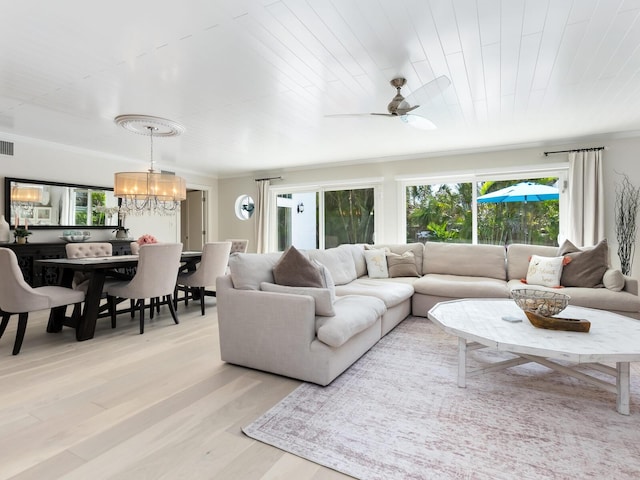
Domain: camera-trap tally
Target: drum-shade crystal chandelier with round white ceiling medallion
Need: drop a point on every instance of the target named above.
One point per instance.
(152, 191)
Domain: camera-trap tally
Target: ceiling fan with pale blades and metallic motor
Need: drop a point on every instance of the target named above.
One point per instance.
(400, 107)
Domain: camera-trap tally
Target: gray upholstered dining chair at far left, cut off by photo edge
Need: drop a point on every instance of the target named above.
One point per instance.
(18, 297)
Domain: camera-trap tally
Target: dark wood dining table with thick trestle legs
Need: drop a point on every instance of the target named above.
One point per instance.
(98, 268)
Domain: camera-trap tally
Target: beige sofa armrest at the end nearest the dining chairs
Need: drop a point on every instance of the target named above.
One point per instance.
(258, 329)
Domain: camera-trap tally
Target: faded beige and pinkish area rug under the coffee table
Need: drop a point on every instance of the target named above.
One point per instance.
(397, 413)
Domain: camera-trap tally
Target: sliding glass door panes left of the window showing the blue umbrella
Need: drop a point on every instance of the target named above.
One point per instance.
(324, 217)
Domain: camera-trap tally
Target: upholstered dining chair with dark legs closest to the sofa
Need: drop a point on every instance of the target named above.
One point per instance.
(202, 281)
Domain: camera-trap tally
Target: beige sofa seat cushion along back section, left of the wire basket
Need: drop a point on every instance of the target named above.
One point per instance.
(461, 286)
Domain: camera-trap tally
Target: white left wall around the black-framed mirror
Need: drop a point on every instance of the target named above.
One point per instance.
(52, 162)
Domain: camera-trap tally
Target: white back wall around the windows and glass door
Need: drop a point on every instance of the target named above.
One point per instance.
(620, 156)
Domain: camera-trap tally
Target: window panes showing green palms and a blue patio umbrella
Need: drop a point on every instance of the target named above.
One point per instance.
(450, 211)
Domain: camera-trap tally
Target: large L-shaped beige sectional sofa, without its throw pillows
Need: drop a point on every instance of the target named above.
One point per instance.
(287, 331)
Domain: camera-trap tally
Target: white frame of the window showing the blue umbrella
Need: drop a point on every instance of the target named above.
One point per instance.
(559, 170)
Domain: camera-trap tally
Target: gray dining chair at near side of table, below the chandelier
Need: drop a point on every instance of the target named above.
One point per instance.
(155, 277)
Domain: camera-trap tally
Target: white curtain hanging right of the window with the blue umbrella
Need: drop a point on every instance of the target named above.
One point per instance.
(586, 198)
